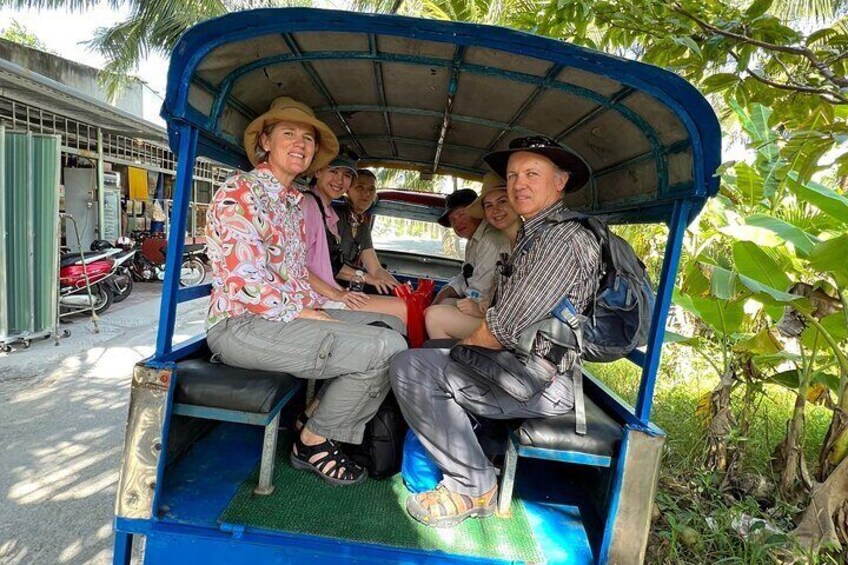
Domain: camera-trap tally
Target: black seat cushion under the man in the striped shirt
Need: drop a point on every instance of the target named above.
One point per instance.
(602, 438)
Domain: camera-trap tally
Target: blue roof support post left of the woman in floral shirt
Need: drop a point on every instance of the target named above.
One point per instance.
(176, 238)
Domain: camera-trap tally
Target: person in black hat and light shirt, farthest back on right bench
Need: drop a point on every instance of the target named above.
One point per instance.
(485, 244)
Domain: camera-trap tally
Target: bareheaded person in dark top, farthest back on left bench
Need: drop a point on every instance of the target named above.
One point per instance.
(354, 225)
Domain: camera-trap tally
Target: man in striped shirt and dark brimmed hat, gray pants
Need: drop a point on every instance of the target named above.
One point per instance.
(549, 263)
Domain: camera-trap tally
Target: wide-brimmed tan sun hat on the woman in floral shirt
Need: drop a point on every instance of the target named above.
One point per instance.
(290, 110)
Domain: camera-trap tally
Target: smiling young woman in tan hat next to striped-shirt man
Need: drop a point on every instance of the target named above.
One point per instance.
(446, 321)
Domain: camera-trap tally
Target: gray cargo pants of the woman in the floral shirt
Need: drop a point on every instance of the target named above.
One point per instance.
(354, 355)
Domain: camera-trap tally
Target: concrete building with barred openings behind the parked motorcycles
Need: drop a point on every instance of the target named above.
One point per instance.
(46, 94)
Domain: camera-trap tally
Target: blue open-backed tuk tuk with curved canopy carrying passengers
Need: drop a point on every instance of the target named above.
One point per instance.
(198, 479)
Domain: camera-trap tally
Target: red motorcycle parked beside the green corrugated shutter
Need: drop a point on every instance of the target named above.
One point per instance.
(82, 283)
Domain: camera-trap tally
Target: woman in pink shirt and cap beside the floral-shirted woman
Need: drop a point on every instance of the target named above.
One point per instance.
(323, 239)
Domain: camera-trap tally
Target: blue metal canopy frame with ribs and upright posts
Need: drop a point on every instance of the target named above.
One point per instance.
(193, 133)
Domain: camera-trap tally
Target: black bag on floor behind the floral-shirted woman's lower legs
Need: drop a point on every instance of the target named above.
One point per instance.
(381, 449)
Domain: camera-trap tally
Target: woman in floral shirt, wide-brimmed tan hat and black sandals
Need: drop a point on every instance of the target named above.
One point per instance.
(265, 315)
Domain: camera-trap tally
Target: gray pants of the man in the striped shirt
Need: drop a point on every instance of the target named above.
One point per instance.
(436, 404)
